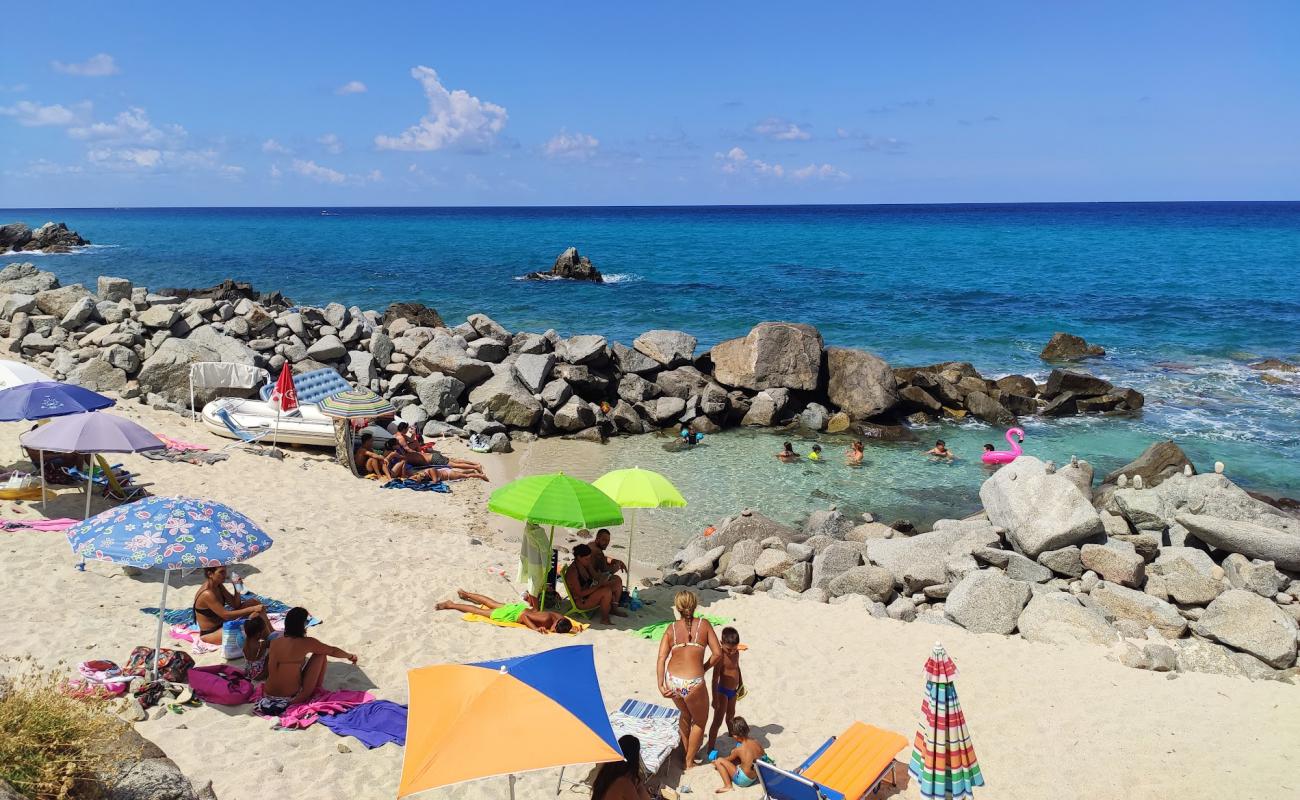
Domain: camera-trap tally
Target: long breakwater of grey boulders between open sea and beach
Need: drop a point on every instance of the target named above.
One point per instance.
(480, 379)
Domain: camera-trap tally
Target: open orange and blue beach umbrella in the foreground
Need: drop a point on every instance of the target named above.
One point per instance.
(471, 721)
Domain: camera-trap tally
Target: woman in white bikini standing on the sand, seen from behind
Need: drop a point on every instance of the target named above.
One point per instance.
(682, 667)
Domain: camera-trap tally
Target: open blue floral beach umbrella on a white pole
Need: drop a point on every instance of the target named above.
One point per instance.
(168, 534)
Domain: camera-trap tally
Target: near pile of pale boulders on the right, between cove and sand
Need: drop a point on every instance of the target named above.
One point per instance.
(1171, 570)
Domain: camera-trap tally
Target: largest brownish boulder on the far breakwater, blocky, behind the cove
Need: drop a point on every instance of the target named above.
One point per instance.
(772, 357)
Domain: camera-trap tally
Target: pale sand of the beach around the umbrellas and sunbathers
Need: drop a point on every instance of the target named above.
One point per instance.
(1047, 721)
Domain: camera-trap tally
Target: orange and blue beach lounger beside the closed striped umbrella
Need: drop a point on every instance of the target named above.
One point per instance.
(850, 767)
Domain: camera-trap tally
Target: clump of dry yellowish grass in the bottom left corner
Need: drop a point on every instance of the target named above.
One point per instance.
(53, 747)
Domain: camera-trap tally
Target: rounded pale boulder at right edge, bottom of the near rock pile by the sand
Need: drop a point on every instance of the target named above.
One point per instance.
(1247, 622)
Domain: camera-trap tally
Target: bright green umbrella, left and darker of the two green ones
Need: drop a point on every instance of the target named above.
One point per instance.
(556, 500)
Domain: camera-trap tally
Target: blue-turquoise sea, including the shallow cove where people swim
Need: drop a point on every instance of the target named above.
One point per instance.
(1181, 295)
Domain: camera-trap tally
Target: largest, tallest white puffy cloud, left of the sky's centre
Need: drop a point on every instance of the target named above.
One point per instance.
(456, 119)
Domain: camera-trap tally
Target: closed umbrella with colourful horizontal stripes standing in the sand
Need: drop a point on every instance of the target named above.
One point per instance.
(943, 758)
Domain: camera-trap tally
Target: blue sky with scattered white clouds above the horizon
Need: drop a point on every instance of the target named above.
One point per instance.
(653, 103)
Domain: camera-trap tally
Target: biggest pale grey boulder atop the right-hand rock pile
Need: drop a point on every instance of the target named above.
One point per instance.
(1039, 511)
